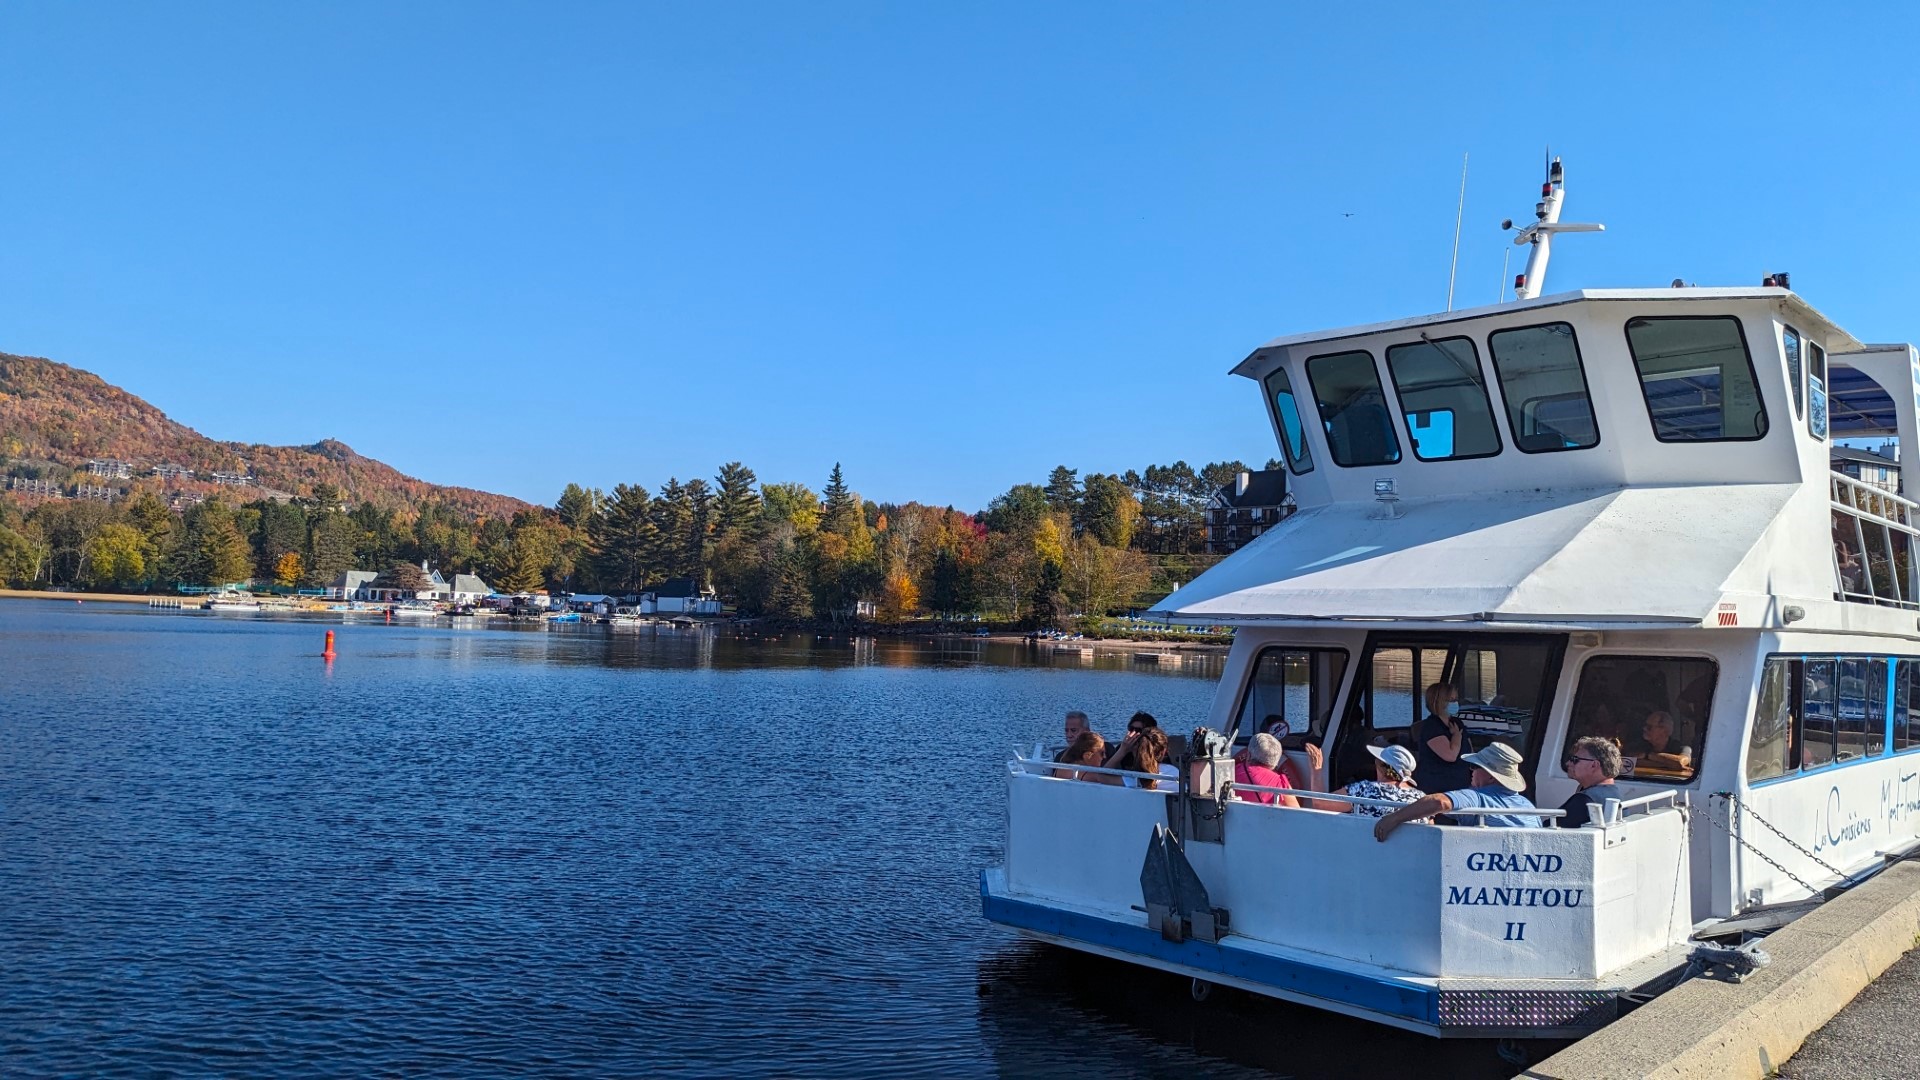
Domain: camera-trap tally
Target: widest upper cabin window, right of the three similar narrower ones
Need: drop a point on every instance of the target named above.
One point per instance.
(1698, 378)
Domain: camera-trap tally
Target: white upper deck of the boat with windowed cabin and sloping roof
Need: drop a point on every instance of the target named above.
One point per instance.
(1604, 456)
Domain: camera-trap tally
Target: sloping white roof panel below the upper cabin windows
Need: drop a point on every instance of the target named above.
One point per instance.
(1508, 558)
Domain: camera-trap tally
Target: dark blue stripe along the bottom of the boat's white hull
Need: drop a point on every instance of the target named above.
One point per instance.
(1418, 1004)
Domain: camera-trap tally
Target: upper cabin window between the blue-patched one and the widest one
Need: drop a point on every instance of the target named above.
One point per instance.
(1545, 385)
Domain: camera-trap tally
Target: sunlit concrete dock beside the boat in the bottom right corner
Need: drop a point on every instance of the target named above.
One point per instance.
(1710, 1029)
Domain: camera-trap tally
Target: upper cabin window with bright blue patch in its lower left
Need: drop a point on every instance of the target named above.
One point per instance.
(1443, 399)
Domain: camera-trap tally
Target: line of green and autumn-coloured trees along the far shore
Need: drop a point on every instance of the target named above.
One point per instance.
(1036, 554)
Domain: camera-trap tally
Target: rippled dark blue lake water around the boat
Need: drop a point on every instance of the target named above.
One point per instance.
(494, 852)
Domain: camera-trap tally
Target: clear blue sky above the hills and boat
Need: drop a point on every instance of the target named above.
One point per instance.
(948, 245)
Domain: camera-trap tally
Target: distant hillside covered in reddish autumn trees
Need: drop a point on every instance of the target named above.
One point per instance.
(51, 412)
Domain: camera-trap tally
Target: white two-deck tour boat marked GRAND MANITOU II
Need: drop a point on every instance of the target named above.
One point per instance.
(1579, 512)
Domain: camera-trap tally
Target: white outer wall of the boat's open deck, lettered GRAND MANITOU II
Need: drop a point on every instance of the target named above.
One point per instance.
(1320, 883)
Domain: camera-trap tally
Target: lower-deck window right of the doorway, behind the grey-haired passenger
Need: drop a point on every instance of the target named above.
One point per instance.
(1652, 708)
